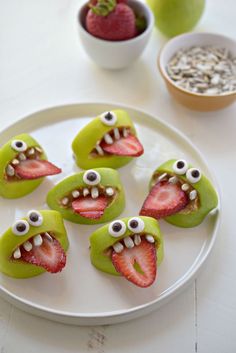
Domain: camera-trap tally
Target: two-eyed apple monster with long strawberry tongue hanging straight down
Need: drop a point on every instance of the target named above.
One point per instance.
(131, 247)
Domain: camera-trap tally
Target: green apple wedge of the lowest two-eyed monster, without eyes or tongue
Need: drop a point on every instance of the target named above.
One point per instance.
(101, 241)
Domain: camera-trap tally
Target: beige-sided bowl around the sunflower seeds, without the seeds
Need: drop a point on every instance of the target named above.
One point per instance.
(193, 100)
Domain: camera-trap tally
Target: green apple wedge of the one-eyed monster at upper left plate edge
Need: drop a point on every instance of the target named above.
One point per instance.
(18, 188)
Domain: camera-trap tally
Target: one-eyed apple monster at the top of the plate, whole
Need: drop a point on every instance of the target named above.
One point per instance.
(109, 140)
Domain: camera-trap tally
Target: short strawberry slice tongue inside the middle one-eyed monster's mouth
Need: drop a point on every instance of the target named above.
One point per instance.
(90, 208)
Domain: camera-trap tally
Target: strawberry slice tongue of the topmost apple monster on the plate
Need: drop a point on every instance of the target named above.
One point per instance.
(126, 146)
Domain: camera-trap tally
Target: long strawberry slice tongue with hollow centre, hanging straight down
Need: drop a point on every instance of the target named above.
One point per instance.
(138, 264)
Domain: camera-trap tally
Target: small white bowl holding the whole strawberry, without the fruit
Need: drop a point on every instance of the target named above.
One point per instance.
(117, 54)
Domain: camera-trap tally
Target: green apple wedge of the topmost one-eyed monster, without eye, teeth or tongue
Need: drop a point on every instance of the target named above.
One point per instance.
(86, 140)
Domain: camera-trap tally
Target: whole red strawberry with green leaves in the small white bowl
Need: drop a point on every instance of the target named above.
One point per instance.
(111, 20)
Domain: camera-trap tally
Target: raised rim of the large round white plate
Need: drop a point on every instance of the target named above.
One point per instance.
(123, 315)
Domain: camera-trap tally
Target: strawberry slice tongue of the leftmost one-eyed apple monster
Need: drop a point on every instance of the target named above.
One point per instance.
(35, 168)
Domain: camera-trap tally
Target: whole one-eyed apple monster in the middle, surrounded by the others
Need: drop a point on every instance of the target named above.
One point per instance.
(91, 197)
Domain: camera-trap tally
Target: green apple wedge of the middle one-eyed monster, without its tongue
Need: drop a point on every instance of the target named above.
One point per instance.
(108, 178)
